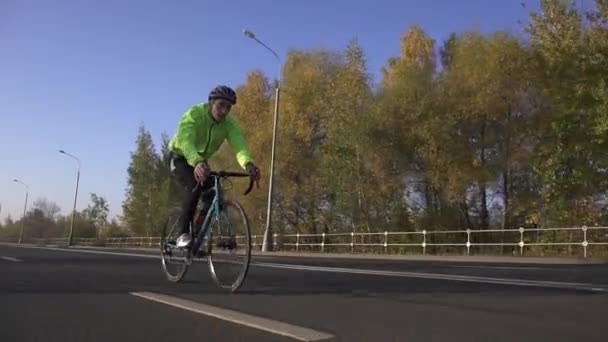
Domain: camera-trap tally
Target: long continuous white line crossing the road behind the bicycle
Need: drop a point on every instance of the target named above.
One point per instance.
(421, 275)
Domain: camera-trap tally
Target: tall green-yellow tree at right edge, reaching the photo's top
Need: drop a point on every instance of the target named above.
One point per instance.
(571, 163)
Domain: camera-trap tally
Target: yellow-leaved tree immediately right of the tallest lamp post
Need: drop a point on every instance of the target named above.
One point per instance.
(309, 77)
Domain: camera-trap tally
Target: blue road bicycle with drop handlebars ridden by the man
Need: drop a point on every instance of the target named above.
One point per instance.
(219, 228)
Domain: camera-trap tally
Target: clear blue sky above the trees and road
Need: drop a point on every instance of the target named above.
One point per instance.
(82, 75)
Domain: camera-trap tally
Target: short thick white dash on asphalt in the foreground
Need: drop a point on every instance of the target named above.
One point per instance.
(260, 323)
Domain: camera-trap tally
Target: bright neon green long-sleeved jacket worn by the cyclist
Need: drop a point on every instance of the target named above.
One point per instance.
(198, 136)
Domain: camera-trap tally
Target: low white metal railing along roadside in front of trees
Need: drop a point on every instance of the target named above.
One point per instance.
(585, 238)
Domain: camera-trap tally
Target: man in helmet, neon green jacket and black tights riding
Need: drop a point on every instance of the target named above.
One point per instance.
(200, 133)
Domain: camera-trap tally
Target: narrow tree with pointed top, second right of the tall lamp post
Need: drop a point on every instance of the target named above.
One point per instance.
(344, 169)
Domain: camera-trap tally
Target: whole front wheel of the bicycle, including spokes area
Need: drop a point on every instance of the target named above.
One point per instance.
(229, 246)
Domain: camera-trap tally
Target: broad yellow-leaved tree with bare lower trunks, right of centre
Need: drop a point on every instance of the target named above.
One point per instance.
(488, 88)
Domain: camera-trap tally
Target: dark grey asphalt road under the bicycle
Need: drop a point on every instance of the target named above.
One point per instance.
(59, 295)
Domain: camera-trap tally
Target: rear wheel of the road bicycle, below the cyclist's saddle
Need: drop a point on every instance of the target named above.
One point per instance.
(175, 260)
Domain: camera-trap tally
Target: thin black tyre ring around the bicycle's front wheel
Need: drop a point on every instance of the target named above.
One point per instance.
(233, 286)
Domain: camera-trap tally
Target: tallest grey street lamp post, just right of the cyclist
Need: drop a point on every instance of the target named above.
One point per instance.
(268, 236)
